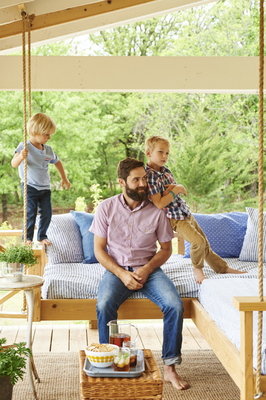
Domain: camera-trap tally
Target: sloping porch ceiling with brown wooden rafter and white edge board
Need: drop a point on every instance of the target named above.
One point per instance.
(62, 19)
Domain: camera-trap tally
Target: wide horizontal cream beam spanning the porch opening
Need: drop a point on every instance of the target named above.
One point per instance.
(135, 74)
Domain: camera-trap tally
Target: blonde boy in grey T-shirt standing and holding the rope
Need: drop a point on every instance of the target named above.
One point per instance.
(39, 155)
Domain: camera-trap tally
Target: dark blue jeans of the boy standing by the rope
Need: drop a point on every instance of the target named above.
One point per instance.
(42, 199)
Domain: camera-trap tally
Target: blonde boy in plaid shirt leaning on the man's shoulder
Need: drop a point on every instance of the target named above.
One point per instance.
(165, 194)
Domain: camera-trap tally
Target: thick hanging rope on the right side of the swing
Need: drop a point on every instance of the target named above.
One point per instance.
(260, 256)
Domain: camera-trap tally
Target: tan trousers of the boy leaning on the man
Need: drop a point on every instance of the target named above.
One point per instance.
(200, 249)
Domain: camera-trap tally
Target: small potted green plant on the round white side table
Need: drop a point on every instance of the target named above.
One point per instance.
(12, 258)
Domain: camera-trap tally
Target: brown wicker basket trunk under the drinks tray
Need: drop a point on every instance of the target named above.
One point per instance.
(148, 386)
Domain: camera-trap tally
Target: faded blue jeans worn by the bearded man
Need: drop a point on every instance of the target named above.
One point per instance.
(159, 289)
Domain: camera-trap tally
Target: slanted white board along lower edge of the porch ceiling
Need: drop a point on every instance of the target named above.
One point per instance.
(101, 22)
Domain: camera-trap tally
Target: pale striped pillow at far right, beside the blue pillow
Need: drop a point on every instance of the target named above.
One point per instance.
(249, 251)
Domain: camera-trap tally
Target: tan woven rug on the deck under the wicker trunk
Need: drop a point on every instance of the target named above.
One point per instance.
(59, 374)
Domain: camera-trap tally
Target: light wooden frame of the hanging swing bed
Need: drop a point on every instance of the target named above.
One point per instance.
(239, 364)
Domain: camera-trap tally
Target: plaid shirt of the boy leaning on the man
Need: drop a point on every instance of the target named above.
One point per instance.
(178, 208)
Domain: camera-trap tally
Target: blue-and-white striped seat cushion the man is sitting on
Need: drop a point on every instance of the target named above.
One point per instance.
(81, 281)
